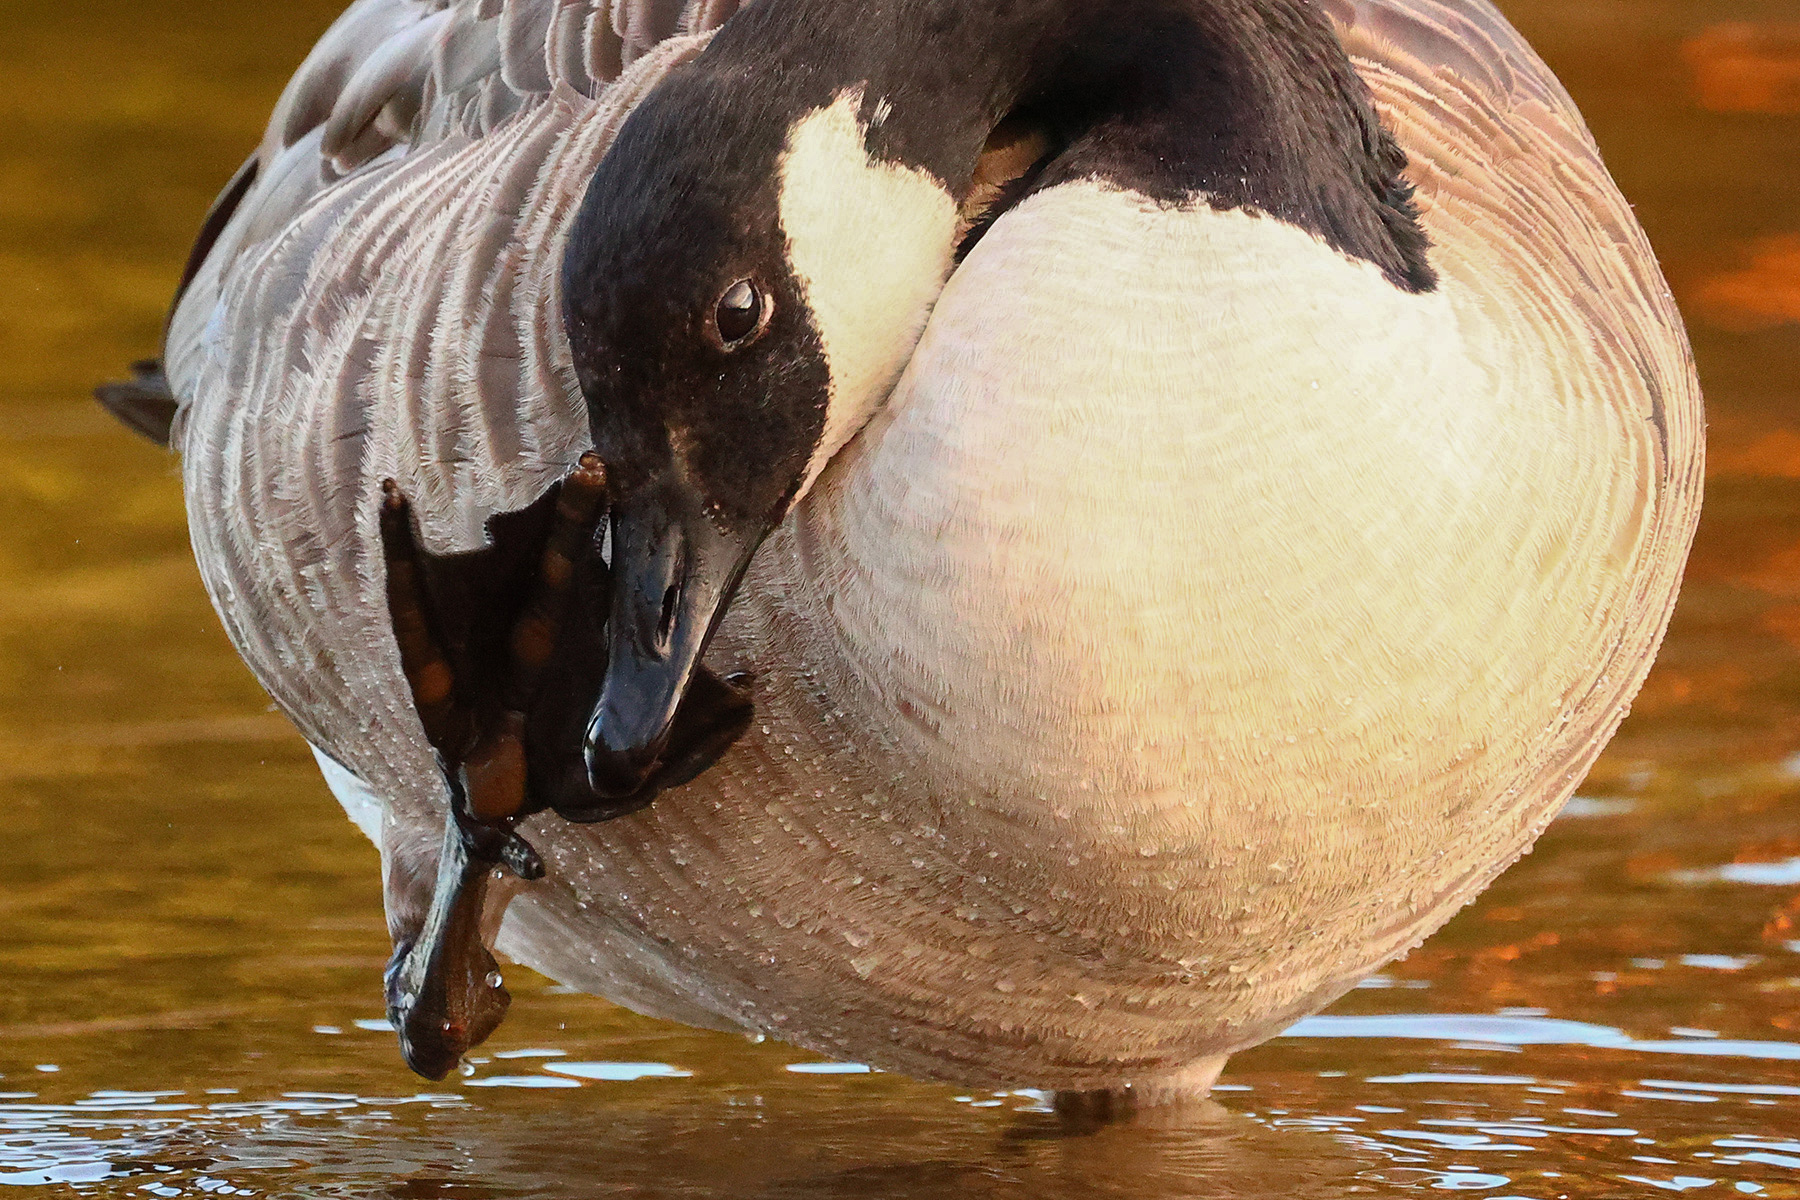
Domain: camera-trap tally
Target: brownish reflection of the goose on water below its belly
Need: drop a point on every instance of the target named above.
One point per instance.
(820, 1145)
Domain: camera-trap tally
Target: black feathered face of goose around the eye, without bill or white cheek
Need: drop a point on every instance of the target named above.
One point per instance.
(690, 332)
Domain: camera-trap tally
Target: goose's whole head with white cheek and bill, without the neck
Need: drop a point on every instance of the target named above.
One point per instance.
(742, 289)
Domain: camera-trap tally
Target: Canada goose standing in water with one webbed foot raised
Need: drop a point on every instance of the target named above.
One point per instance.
(1173, 497)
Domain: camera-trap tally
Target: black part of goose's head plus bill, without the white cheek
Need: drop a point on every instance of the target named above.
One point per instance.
(706, 386)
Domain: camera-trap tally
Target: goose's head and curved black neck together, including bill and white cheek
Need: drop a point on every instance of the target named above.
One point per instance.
(764, 242)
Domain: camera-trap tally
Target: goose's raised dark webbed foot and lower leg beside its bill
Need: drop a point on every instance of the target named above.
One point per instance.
(505, 652)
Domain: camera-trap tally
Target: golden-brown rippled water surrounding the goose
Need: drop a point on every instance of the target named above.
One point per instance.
(192, 933)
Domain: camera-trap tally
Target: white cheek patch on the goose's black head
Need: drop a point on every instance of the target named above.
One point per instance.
(872, 244)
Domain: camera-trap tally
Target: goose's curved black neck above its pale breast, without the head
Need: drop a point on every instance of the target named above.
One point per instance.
(1234, 103)
